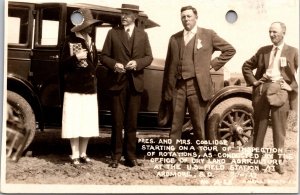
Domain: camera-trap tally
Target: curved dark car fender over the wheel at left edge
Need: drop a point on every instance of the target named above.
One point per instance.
(26, 90)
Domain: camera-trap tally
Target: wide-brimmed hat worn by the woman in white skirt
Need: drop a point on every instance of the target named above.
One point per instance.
(82, 19)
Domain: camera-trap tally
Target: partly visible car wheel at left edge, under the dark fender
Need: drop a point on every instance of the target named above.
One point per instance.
(22, 110)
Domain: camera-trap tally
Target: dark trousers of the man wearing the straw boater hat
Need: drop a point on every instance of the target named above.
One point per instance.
(125, 108)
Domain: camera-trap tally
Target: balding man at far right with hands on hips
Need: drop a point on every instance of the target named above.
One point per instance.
(275, 66)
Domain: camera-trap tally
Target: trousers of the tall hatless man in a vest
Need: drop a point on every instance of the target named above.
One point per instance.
(188, 96)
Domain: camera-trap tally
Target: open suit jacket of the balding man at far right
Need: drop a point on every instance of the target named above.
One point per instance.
(260, 62)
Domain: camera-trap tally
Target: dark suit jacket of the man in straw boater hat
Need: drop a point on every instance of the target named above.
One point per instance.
(116, 49)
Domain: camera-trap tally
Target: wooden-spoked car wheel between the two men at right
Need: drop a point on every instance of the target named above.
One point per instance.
(232, 121)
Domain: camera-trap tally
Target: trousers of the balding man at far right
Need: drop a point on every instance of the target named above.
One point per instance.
(262, 111)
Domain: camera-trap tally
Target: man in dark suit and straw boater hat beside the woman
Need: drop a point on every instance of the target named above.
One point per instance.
(126, 52)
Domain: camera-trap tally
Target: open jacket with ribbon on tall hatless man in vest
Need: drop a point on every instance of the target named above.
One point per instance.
(206, 42)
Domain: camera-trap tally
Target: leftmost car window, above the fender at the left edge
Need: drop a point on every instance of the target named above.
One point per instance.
(18, 32)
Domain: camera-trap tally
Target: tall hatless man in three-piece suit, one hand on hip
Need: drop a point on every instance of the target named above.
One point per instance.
(187, 80)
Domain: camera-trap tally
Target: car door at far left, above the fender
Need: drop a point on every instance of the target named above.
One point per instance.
(19, 23)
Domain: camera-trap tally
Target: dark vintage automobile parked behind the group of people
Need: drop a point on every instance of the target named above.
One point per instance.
(34, 36)
